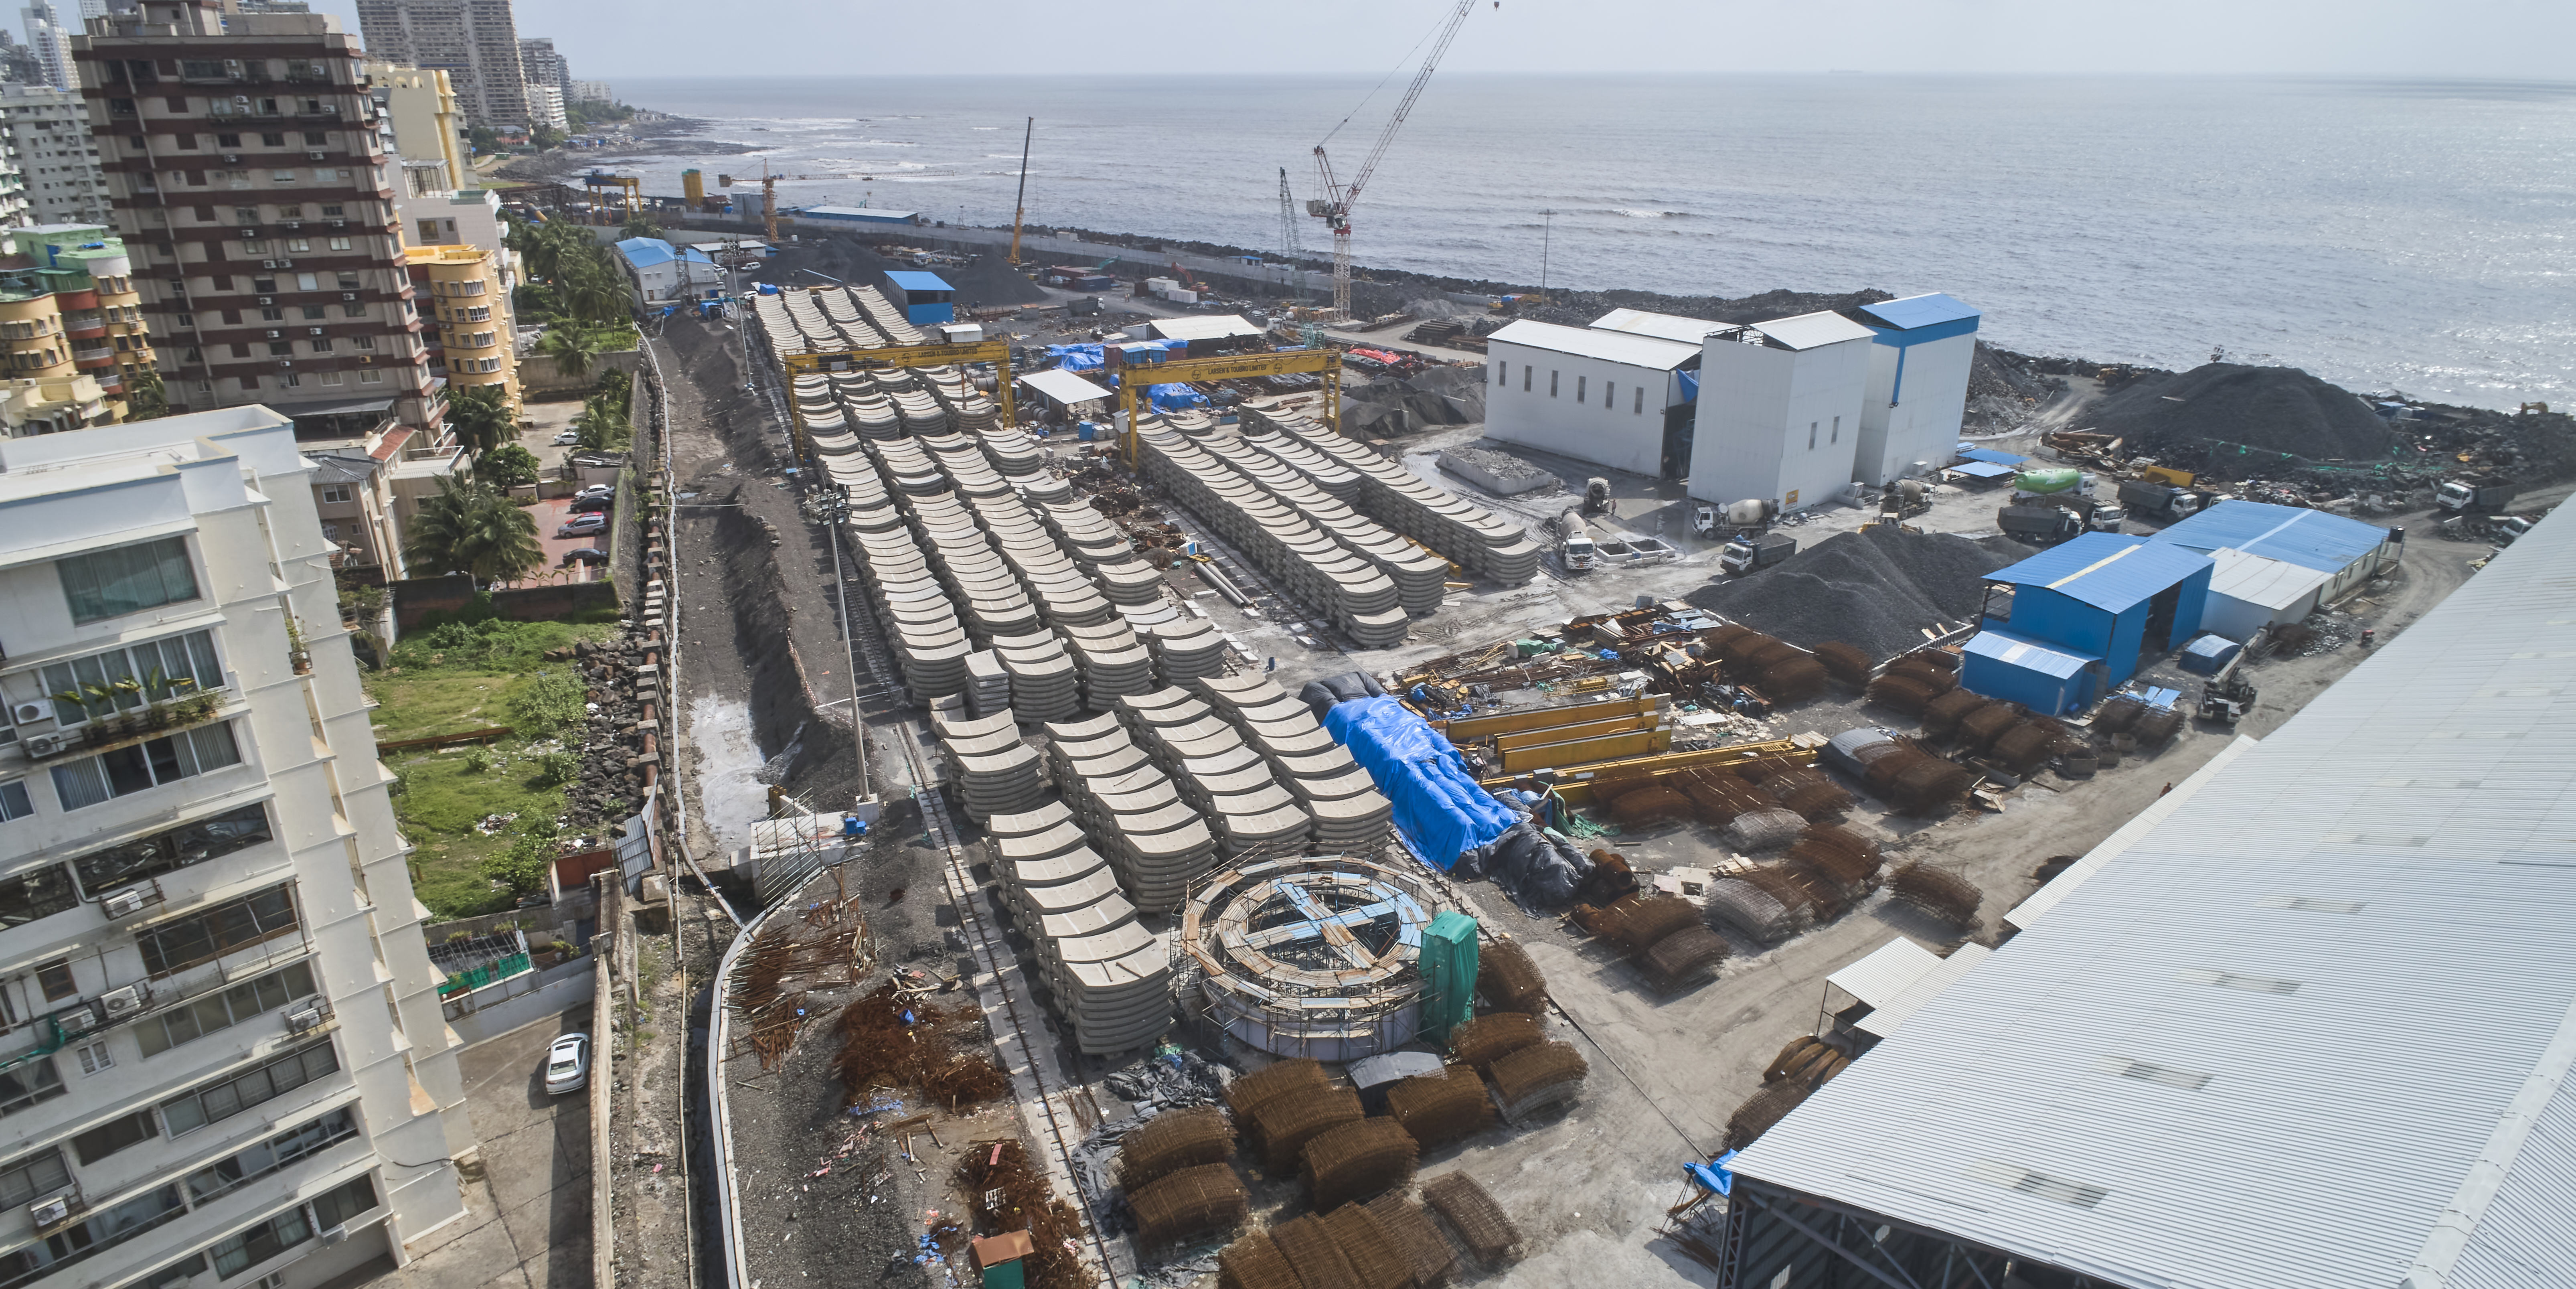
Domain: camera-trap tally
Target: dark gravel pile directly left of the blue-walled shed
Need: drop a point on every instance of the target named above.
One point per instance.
(1877, 589)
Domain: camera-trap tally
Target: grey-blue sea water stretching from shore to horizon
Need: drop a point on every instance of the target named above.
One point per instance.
(2382, 233)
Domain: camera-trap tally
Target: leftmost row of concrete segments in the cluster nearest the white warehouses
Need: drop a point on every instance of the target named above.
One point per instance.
(1315, 568)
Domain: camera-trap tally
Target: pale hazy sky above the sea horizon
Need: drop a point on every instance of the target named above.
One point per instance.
(836, 37)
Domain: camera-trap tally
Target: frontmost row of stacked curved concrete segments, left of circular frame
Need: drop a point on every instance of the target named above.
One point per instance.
(1104, 973)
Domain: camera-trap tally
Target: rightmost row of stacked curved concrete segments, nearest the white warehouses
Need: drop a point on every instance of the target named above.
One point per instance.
(1395, 496)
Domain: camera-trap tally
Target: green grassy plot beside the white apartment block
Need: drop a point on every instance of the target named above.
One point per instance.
(455, 679)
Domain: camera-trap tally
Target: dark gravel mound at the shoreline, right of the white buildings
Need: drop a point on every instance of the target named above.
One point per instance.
(2235, 419)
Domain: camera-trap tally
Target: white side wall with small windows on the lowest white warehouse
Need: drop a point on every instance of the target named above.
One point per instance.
(1531, 398)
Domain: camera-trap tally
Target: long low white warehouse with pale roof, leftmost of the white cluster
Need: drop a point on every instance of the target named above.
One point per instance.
(1593, 396)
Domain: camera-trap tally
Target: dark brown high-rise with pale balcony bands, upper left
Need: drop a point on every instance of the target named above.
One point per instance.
(259, 202)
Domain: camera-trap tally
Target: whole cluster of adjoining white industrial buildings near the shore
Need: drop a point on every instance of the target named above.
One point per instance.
(1792, 411)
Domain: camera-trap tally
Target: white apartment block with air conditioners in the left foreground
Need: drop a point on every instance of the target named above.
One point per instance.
(225, 1061)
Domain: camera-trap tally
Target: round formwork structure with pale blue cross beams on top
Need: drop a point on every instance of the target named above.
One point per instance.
(1312, 955)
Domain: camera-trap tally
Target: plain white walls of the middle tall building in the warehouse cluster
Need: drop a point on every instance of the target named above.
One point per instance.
(1756, 411)
